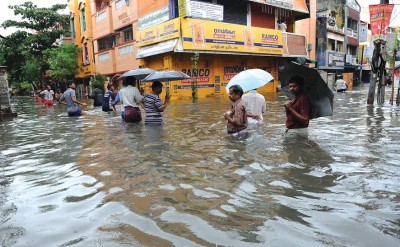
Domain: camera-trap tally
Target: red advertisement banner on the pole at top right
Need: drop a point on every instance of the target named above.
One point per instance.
(380, 15)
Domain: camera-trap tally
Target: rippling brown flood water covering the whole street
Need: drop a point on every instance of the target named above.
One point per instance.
(96, 181)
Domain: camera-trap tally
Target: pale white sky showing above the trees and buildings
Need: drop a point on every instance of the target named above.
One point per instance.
(7, 14)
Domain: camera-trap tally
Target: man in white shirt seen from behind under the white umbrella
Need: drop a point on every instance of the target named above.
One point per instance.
(254, 103)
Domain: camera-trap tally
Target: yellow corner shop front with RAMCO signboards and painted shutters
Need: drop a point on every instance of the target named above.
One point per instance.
(223, 51)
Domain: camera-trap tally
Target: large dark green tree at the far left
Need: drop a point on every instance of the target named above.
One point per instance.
(21, 48)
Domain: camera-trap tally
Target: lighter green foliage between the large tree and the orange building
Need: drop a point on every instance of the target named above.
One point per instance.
(63, 61)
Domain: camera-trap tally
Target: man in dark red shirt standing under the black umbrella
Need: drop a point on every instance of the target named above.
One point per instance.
(298, 109)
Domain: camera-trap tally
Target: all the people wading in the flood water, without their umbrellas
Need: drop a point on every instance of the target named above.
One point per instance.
(245, 109)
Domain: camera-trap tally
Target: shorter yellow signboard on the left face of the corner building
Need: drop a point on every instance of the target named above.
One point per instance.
(164, 31)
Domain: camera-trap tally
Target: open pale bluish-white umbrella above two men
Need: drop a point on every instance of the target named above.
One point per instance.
(250, 79)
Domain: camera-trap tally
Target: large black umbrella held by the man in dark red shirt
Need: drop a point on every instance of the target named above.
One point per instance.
(321, 97)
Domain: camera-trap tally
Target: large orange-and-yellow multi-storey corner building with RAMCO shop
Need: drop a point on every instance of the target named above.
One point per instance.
(228, 35)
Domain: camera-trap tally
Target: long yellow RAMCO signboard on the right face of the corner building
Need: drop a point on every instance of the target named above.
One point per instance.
(218, 36)
